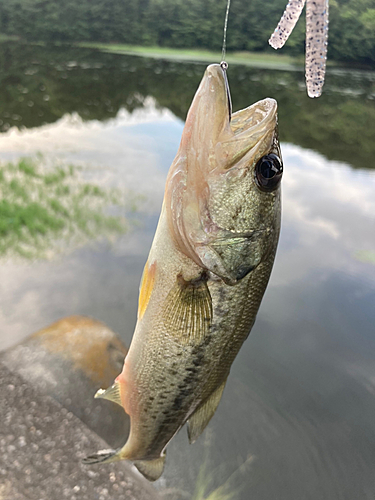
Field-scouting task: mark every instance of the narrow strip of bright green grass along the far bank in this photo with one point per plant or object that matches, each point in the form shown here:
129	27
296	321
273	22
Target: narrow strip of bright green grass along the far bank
266	60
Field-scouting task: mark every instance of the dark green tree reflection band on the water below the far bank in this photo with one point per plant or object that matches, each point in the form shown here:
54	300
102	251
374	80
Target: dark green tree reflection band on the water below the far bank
39	85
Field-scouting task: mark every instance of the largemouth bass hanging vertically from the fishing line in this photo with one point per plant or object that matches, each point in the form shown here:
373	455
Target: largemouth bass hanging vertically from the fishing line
206	273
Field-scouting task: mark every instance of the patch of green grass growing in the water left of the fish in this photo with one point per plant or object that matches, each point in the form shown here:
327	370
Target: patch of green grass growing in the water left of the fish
46	210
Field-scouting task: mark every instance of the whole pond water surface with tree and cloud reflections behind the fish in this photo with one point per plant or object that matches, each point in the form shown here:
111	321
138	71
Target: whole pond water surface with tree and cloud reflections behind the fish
297	419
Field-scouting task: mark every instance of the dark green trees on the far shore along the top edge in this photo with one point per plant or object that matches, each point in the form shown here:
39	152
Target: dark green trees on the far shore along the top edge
187	24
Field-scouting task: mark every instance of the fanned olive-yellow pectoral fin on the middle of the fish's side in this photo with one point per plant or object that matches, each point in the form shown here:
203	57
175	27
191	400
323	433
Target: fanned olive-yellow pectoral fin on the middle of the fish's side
188	310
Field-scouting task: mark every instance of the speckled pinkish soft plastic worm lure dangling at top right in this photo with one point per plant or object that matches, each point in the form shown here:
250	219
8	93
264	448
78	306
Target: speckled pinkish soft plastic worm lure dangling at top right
316	39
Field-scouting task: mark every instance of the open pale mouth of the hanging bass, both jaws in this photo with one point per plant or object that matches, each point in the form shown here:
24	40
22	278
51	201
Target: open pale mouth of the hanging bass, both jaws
210	123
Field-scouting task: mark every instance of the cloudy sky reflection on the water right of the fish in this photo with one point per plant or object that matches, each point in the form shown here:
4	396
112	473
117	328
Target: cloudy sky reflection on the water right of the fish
300	395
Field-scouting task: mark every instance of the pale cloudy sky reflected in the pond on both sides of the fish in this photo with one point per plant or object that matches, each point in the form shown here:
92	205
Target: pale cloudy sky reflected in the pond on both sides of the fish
303	383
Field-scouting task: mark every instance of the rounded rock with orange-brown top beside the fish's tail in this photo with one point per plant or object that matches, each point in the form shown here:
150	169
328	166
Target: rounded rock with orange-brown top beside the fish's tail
69	361
